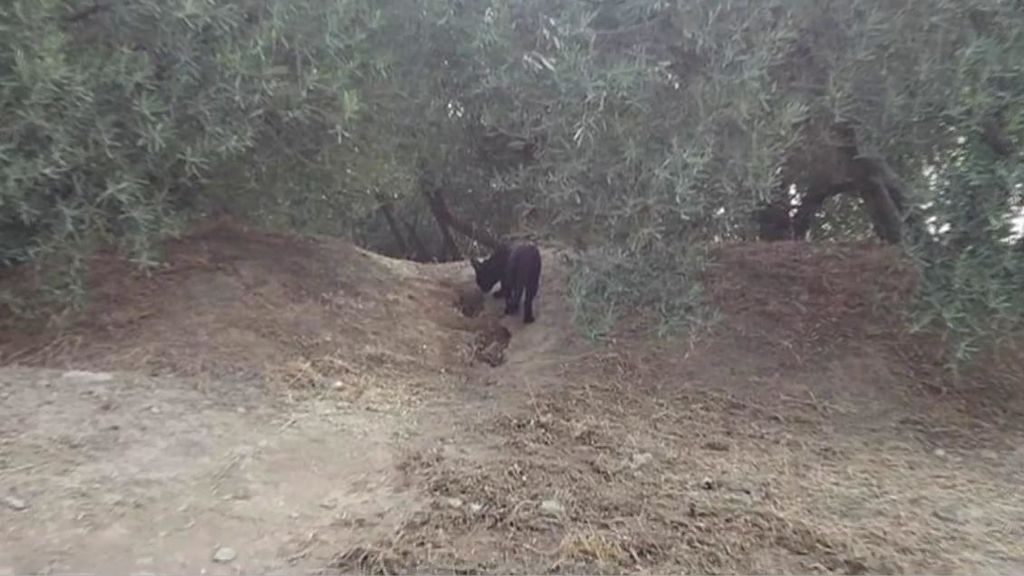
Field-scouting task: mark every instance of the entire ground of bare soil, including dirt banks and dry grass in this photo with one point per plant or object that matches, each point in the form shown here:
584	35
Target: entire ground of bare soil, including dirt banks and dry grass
315	407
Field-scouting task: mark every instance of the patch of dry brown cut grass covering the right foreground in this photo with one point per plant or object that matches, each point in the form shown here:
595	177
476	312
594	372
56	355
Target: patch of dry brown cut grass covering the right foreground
649	485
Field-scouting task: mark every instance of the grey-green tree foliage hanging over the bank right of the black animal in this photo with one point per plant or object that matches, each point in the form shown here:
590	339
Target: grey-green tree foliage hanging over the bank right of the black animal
665	125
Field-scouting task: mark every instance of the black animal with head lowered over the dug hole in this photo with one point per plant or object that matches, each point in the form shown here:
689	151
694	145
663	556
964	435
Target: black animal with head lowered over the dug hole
519	269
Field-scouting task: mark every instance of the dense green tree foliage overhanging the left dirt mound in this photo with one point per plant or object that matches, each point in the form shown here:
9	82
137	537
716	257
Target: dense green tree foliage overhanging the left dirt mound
116	122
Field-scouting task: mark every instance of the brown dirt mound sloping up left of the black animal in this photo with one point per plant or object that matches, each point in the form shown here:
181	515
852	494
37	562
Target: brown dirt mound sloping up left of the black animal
232	303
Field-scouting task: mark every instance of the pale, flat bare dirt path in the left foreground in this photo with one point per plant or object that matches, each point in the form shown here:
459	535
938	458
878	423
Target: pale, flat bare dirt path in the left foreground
121	474
